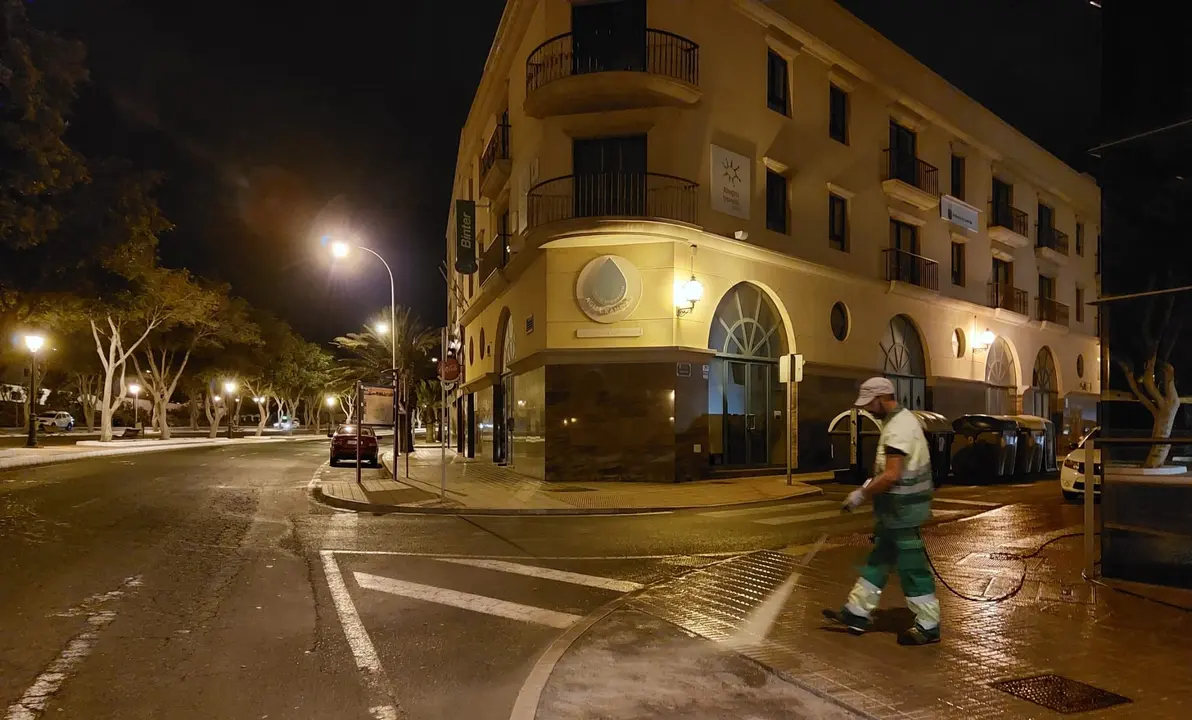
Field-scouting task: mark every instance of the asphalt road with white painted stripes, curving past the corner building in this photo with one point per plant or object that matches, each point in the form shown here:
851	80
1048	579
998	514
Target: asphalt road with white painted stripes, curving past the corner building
207	585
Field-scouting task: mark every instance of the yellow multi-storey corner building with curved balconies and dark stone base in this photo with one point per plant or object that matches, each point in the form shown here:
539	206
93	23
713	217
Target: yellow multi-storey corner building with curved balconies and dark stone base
665	198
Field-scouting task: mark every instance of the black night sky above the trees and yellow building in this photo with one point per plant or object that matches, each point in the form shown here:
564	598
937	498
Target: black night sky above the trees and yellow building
277	127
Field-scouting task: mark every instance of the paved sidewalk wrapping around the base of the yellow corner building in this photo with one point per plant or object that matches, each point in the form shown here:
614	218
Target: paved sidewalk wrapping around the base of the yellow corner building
480	488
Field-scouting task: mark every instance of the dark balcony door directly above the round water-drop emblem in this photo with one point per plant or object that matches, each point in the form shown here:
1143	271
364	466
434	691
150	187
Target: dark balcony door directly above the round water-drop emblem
610	176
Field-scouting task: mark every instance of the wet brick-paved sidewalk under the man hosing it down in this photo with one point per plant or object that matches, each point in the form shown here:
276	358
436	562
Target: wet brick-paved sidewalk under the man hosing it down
1056	624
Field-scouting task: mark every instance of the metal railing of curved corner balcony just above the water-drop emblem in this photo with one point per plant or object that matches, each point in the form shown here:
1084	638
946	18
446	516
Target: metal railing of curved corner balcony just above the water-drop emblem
613	195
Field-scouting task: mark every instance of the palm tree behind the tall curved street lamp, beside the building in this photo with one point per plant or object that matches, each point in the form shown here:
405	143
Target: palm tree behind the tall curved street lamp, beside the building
371	353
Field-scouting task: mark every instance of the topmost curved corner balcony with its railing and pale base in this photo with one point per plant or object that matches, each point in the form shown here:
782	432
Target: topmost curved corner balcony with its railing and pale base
659	70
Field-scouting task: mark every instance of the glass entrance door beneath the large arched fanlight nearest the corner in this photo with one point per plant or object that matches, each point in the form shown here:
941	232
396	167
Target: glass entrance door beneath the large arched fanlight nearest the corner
748	414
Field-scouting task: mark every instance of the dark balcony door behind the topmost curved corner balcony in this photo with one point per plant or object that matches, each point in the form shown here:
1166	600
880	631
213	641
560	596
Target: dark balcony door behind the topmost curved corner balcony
609	36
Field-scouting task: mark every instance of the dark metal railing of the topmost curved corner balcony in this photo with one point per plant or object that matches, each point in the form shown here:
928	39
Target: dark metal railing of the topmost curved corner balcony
657	52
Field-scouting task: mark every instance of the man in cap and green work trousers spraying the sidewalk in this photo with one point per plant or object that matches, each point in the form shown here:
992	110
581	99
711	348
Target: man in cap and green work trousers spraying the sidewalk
902	495
